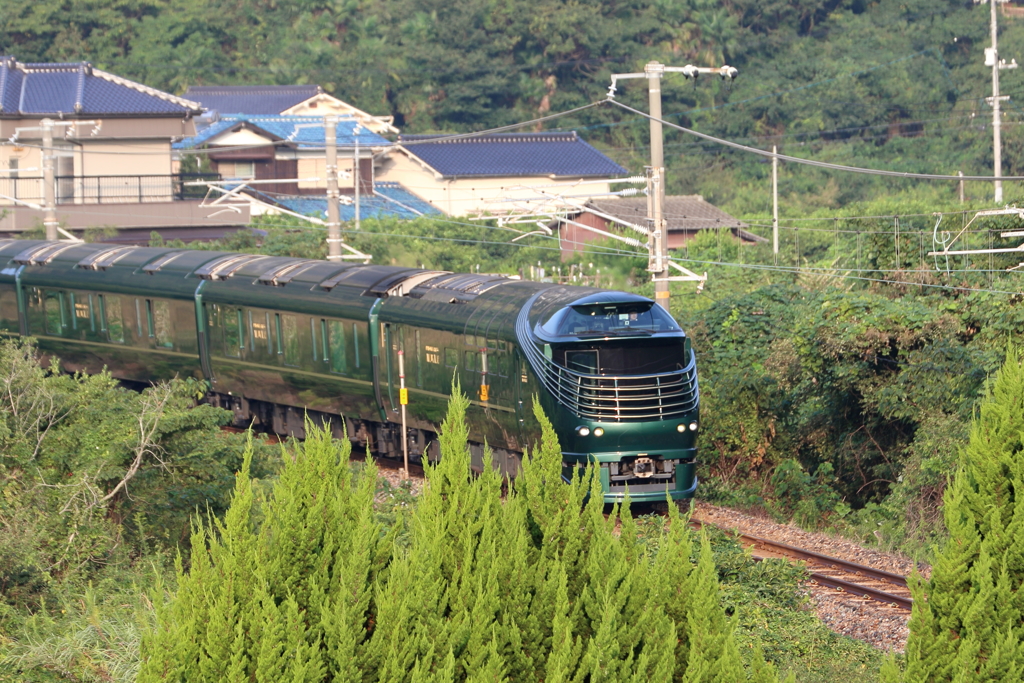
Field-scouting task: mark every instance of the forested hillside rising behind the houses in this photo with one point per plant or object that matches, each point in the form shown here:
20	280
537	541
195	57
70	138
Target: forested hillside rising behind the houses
897	84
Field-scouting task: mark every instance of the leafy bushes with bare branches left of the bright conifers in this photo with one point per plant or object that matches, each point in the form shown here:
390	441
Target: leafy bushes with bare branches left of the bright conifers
98	487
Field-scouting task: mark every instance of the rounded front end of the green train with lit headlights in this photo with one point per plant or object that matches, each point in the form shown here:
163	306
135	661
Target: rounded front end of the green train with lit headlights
621	389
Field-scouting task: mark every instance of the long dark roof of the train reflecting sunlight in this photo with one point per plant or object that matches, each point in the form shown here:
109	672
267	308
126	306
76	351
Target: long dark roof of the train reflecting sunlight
290	283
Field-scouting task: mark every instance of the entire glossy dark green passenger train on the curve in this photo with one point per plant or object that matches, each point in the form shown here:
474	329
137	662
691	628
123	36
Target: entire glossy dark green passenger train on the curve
279	338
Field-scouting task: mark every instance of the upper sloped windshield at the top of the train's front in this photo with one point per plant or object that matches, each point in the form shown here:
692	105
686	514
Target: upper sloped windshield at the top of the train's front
606	320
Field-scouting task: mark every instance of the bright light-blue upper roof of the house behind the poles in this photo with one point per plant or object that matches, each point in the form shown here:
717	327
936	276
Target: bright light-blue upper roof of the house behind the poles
307	132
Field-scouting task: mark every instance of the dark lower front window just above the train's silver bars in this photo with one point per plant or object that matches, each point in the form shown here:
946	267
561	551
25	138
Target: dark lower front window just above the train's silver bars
623	358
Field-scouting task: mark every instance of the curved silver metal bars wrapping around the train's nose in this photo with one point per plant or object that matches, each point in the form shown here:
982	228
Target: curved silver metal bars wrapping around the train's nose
613	398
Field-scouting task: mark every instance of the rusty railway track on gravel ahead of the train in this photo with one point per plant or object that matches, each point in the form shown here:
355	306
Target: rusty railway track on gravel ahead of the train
850	578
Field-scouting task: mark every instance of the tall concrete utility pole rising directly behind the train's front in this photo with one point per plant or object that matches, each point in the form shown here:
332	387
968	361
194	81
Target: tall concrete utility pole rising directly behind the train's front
659	245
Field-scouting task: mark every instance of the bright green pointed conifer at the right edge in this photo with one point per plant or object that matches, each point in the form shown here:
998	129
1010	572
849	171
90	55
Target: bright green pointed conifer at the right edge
967	617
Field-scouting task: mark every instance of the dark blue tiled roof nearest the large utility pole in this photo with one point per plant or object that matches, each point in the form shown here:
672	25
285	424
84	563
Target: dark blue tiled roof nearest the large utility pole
517	154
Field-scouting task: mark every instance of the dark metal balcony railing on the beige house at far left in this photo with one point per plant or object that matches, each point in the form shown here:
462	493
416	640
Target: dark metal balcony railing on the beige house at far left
107	189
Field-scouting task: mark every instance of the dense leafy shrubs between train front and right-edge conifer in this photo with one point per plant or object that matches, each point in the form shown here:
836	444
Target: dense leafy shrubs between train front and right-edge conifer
824	394
